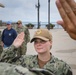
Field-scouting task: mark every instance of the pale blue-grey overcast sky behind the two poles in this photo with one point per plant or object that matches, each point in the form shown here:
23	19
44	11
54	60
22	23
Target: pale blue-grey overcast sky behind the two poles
26	11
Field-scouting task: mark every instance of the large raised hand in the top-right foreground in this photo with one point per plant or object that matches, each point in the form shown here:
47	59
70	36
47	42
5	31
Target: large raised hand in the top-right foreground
67	10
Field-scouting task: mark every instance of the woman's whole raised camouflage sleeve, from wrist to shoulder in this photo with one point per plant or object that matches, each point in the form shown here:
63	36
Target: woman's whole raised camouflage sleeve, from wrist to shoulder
9	55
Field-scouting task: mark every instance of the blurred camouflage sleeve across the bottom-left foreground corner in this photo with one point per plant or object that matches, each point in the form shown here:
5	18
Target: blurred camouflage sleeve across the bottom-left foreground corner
8	69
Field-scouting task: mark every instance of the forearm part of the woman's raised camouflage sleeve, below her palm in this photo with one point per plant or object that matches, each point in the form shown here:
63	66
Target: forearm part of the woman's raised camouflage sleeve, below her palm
8	54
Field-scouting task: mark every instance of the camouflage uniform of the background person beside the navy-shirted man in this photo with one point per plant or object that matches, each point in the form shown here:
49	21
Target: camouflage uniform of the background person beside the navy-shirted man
23	48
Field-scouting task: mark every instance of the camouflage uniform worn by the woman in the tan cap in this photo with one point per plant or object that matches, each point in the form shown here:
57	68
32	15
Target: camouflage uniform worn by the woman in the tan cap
56	66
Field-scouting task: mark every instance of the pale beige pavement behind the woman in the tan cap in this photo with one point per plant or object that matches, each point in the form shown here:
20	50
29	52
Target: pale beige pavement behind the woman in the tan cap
63	47
